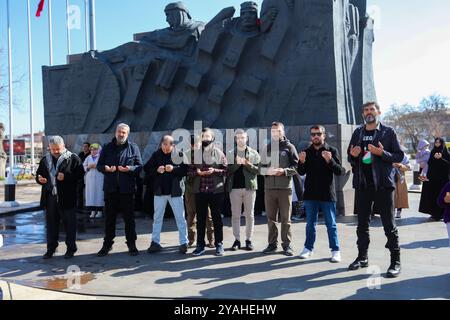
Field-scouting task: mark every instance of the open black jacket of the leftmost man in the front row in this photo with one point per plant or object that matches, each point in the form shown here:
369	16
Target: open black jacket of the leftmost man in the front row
73	171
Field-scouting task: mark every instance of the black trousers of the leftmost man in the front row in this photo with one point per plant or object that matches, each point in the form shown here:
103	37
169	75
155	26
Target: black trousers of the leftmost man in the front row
53	216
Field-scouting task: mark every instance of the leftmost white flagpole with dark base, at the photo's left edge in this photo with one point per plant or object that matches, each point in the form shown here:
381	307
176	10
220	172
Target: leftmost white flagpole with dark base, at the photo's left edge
10	185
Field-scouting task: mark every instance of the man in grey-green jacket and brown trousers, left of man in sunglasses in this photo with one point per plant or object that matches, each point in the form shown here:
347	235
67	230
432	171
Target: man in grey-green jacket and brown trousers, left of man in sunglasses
278	186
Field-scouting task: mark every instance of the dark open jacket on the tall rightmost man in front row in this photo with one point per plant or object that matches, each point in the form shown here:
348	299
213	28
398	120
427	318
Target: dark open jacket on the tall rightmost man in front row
383	172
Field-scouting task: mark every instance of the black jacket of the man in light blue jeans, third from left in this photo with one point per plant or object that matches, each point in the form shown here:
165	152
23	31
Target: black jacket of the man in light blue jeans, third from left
176	176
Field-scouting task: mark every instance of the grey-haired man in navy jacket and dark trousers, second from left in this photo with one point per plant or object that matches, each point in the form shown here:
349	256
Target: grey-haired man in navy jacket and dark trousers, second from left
120	162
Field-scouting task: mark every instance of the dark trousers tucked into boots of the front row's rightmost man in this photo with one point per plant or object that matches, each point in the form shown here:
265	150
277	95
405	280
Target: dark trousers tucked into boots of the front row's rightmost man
383	200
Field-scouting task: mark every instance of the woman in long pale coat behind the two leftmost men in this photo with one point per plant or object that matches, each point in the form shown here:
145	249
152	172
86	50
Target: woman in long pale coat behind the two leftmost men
94	183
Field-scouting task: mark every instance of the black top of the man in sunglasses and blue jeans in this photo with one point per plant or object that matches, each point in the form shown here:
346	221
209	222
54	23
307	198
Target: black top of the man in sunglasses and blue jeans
319	182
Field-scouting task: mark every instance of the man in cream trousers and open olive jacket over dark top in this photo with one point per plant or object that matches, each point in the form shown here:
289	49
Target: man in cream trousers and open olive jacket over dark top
242	185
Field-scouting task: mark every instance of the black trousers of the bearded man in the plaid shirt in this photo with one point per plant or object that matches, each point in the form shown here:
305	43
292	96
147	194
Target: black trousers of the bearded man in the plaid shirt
215	203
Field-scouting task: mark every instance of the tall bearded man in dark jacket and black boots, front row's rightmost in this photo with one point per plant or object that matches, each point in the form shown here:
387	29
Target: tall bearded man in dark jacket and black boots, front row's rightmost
373	149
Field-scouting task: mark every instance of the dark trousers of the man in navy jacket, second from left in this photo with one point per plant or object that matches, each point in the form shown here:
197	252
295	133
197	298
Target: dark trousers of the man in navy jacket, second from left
115	203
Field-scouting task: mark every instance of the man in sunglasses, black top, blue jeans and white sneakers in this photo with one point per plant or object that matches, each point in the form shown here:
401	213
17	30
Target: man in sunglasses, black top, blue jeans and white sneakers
320	162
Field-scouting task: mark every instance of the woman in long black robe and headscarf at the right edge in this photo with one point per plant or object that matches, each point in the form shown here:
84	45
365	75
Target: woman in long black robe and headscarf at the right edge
435	180
